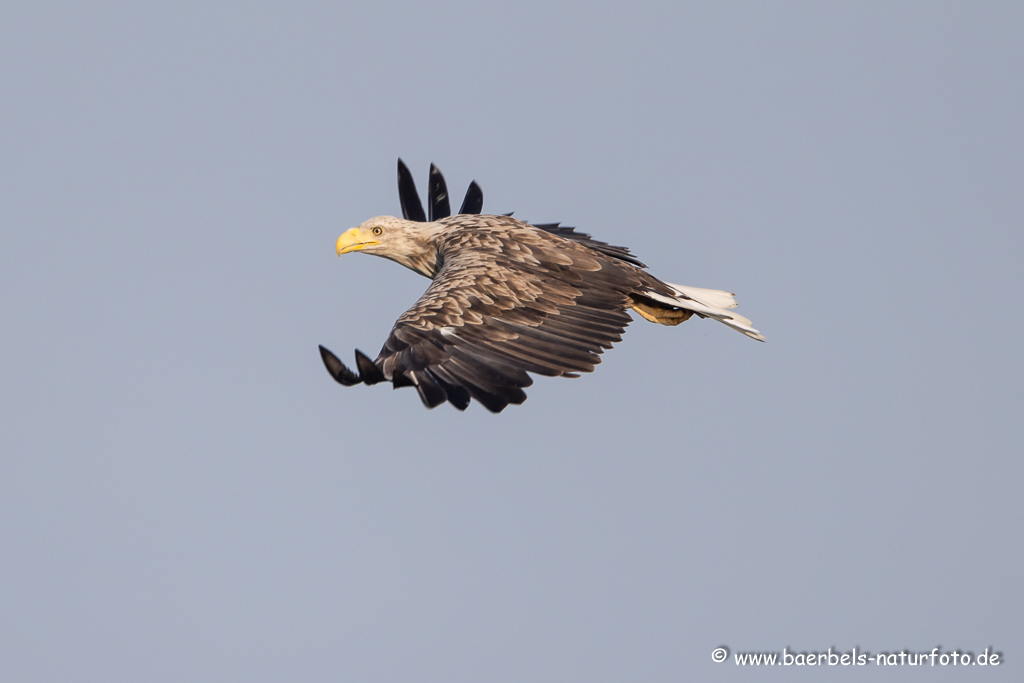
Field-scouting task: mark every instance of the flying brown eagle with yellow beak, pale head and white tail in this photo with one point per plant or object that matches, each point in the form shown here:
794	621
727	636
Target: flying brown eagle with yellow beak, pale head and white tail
507	298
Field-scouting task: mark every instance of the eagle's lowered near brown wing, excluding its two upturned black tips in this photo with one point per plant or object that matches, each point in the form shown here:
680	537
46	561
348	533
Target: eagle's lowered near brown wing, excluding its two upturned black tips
485	323
